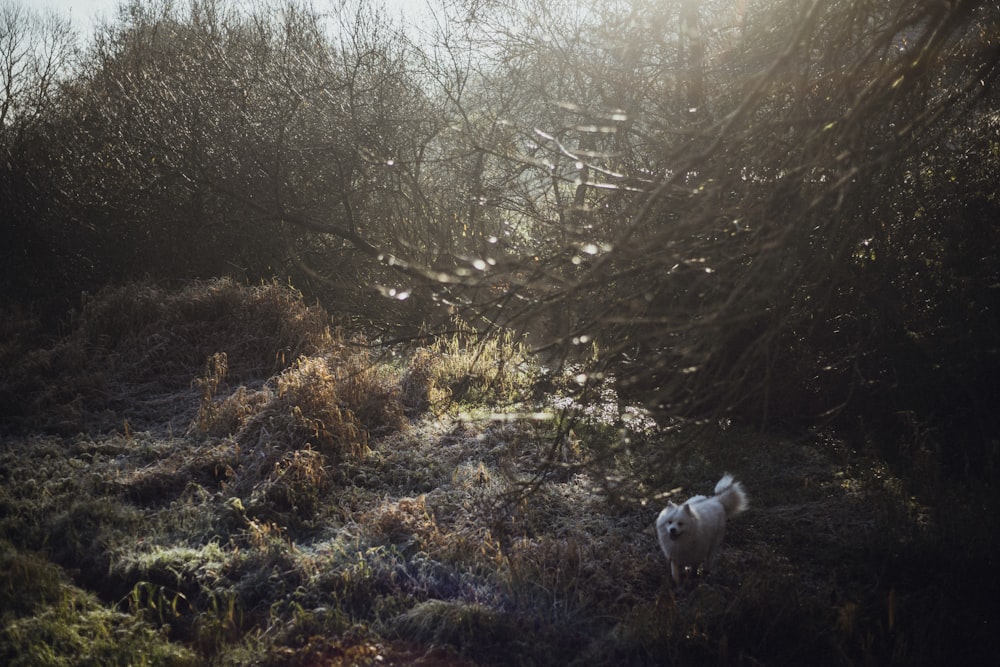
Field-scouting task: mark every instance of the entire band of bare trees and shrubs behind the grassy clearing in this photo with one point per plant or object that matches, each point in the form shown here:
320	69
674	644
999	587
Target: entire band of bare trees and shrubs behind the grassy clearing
776	210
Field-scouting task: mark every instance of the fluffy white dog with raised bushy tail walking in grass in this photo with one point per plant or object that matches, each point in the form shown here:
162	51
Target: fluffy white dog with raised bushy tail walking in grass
691	534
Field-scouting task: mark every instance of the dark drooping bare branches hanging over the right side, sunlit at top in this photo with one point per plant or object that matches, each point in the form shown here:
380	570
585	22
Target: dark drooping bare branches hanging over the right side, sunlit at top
800	252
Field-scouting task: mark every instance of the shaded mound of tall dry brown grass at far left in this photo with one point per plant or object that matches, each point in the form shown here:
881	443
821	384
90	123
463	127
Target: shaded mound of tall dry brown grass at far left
132	350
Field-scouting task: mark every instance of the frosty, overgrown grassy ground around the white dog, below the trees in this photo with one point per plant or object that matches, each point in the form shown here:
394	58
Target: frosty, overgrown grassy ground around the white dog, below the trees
216	476
